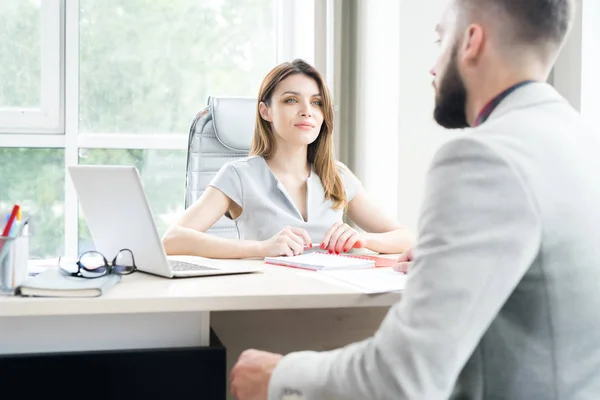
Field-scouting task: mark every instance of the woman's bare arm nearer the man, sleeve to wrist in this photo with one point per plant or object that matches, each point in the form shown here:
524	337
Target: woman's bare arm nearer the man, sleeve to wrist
383	234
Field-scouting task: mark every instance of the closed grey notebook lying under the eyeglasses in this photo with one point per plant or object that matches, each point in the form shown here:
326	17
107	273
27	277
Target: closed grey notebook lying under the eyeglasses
54	282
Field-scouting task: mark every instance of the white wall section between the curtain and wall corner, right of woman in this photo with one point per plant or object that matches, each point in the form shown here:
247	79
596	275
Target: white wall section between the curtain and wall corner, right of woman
377	100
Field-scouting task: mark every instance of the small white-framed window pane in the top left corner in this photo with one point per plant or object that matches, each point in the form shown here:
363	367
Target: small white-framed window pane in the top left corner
29	39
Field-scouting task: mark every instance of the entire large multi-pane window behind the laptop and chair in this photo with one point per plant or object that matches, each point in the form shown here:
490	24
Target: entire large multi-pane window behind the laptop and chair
114	82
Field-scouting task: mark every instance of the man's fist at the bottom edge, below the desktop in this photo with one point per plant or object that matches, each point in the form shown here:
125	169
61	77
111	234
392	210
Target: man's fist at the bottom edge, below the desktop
251	374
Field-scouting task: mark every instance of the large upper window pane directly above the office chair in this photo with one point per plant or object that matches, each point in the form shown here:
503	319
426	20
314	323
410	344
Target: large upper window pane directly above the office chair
148	66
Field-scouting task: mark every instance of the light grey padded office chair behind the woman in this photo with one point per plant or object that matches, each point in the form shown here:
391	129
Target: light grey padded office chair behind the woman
221	132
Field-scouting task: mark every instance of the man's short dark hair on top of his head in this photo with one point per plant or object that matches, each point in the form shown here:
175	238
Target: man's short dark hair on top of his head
533	21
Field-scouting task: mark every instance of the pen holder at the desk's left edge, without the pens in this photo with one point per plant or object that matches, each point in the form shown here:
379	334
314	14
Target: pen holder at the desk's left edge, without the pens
14	255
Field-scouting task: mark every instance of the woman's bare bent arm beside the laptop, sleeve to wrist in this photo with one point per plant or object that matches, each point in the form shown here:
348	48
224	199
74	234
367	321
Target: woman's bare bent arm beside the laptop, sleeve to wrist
187	235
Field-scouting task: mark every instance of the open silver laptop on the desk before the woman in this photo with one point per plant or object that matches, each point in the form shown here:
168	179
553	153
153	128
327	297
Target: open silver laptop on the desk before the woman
115	207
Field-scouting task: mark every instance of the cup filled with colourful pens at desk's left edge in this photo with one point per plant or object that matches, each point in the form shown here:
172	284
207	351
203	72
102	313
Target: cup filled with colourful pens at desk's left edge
14	252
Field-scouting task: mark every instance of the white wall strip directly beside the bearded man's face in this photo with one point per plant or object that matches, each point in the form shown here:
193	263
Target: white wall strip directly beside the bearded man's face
419	136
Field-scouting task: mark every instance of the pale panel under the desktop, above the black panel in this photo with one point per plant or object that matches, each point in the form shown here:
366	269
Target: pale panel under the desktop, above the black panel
41	334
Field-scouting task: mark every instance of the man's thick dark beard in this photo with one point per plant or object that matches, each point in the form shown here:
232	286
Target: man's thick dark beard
451	99
